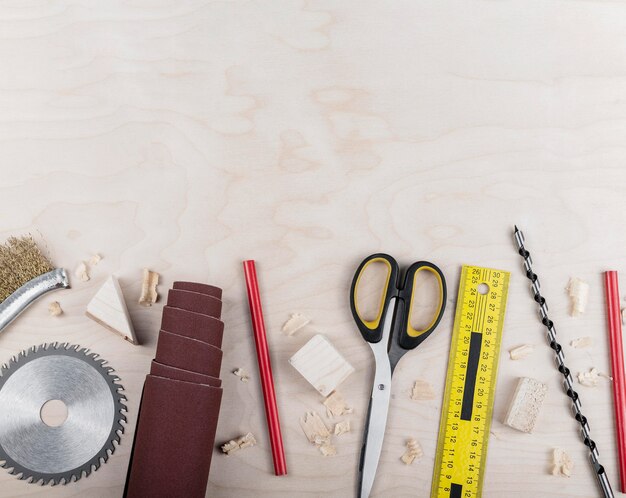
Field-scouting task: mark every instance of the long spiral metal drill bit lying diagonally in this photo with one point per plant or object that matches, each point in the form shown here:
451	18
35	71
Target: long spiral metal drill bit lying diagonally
568	383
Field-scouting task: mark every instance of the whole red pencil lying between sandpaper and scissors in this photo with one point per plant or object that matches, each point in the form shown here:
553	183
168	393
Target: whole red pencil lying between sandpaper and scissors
265	369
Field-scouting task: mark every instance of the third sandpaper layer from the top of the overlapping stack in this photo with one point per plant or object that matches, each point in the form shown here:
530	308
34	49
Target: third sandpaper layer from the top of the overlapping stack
193	325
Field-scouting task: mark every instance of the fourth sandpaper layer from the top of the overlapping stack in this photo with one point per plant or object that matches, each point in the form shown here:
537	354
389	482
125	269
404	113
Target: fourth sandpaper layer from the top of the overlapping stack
188	354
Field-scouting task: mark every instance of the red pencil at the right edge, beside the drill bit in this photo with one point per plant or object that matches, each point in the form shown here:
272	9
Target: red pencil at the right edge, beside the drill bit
617	368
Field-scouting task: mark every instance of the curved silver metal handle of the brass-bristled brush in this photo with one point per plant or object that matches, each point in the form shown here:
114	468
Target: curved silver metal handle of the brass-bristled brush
17	302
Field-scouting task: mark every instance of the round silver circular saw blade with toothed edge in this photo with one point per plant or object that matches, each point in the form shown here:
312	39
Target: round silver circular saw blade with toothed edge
38	452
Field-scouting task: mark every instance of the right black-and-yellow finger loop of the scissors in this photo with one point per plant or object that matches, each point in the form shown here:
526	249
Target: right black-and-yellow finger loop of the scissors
410	337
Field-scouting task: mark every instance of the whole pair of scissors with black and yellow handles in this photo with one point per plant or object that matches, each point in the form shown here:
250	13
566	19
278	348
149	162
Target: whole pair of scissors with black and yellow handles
390	335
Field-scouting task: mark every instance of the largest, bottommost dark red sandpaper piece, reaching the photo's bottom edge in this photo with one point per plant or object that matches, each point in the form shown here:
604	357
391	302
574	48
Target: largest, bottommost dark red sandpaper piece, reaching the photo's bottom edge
174	440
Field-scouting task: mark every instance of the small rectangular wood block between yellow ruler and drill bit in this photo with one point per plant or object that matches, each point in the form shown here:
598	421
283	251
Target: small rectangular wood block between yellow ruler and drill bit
526	403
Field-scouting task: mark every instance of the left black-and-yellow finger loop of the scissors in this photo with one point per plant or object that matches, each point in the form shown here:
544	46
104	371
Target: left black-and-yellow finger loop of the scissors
372	330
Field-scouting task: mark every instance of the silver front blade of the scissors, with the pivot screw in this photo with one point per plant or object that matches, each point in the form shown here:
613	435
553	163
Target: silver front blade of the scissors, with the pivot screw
376	421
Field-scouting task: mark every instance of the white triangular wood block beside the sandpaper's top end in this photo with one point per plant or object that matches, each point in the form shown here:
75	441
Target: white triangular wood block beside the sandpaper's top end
108	308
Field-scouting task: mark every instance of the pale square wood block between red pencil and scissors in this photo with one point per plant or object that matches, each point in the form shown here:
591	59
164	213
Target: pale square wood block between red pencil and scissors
321	364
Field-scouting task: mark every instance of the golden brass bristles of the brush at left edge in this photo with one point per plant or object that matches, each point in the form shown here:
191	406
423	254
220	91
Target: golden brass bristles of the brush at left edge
20	261
